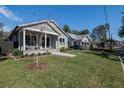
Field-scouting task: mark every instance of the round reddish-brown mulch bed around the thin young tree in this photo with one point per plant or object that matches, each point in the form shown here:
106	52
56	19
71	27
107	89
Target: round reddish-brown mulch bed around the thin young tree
35	66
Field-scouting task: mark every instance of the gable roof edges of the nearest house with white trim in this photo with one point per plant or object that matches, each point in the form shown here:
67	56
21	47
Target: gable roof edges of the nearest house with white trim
17	28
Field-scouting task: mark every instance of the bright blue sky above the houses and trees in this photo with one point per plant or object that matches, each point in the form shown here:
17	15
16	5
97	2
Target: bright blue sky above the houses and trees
77	17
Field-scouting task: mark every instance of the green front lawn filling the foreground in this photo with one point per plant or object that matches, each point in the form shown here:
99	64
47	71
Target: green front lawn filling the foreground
84	70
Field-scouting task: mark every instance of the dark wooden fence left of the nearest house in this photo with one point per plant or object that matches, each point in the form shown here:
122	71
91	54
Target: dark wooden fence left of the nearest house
6	47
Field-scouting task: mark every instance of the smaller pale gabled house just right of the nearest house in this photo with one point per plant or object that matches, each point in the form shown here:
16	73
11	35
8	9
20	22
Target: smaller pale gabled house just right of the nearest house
80	40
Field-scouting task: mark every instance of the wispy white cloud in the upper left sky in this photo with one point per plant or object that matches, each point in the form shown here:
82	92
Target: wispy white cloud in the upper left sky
9	14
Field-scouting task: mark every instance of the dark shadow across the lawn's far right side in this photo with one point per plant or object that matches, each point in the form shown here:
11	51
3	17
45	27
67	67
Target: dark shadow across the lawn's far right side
104	54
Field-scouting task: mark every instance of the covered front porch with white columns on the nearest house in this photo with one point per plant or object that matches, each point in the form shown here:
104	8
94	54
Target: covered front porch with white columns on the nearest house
35	41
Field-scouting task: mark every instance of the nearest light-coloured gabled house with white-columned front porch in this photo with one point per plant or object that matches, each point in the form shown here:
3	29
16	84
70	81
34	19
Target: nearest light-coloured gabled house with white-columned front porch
37	37
